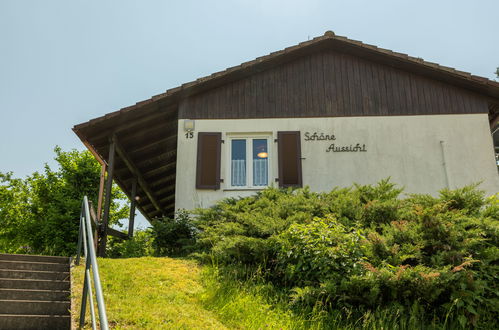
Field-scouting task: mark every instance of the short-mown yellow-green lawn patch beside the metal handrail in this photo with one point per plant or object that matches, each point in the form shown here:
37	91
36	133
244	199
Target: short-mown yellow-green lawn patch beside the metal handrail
149	293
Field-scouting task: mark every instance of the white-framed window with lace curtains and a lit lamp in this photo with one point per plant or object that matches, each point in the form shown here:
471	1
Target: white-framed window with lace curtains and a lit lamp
249	162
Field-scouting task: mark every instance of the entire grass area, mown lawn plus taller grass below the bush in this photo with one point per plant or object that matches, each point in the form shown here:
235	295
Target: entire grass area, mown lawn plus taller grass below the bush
166	293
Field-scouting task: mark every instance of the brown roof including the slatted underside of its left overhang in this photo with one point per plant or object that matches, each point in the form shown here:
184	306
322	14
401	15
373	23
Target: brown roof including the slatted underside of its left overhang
146	133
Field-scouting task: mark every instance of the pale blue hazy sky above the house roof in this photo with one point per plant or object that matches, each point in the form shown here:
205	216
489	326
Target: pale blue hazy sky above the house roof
65	62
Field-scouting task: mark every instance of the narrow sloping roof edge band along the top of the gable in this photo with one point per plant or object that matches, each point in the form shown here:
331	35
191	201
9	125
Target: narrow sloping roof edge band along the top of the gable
331	41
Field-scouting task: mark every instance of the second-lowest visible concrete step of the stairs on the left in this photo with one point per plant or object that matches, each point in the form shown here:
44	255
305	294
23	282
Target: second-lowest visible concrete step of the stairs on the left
34	307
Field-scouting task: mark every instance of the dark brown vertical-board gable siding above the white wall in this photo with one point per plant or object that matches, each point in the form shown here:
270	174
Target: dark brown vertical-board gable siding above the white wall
331	84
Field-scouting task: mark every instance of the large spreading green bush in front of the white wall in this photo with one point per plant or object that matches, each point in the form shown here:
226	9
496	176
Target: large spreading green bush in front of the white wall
365	247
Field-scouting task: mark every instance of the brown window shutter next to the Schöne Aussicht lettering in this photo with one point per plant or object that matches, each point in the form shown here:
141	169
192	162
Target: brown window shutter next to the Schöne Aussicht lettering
289	145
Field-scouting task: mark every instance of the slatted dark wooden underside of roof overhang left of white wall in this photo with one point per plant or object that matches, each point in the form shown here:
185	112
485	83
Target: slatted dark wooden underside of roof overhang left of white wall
146	145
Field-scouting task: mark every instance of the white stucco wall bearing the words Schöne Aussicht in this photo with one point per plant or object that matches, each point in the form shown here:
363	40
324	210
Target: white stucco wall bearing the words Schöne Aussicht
406	148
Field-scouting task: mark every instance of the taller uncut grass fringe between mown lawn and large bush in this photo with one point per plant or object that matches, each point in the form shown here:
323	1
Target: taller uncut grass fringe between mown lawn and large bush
250	302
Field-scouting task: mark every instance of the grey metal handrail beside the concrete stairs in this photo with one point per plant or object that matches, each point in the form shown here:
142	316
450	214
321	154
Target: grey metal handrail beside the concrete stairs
85	236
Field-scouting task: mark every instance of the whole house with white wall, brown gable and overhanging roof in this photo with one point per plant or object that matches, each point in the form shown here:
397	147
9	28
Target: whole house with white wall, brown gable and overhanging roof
327	112
